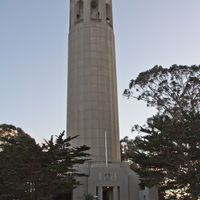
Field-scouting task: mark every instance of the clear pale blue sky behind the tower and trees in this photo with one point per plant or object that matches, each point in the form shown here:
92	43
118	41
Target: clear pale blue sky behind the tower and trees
33	56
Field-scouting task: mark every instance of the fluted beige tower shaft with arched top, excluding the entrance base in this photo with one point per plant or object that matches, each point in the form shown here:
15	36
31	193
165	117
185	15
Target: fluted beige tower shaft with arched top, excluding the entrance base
92	108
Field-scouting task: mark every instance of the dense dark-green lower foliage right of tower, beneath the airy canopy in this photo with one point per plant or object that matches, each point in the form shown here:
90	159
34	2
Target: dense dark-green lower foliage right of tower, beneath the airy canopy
167	154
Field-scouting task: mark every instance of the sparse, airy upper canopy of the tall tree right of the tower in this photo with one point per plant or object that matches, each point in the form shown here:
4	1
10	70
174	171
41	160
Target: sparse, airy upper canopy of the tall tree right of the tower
169	90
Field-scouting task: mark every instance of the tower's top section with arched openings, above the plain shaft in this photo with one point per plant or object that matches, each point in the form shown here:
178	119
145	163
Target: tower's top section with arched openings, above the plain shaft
86	11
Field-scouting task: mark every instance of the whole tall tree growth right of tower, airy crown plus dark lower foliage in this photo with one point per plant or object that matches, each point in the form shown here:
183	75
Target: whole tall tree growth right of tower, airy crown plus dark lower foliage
167	153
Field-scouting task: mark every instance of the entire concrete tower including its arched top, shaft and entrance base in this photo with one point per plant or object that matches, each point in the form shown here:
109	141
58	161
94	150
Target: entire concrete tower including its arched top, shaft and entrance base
92	108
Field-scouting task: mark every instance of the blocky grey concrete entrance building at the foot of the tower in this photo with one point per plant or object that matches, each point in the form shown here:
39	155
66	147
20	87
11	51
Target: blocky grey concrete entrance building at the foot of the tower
114	182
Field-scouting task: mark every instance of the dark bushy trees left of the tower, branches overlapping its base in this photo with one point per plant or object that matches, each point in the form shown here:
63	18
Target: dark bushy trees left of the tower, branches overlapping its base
32	171
